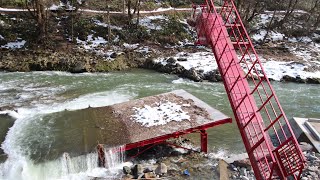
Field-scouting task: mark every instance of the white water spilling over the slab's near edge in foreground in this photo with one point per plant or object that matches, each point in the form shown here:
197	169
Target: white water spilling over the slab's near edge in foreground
66	167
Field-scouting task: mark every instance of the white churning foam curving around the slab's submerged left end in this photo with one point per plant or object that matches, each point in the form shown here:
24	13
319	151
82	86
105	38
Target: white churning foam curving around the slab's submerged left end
19	166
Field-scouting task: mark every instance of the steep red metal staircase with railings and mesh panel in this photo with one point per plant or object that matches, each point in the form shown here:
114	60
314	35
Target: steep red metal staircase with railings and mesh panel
268	138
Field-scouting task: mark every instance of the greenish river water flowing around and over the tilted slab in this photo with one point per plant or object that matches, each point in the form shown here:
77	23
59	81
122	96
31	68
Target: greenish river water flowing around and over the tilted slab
41	139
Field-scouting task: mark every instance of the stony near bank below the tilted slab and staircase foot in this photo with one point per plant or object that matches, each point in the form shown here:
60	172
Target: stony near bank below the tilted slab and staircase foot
193	165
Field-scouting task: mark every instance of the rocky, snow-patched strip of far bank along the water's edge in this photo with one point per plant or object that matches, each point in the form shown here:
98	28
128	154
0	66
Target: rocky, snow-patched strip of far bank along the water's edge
187	62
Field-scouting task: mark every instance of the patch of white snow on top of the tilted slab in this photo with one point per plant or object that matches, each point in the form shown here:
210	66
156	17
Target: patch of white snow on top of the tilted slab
160	114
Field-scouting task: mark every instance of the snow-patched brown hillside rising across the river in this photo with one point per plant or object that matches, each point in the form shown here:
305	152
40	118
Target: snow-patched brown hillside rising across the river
88	40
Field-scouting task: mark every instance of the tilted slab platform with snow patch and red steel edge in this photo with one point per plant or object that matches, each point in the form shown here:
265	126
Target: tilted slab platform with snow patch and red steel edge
170	115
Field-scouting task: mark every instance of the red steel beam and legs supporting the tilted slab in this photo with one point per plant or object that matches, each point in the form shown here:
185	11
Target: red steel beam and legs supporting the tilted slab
161	139
